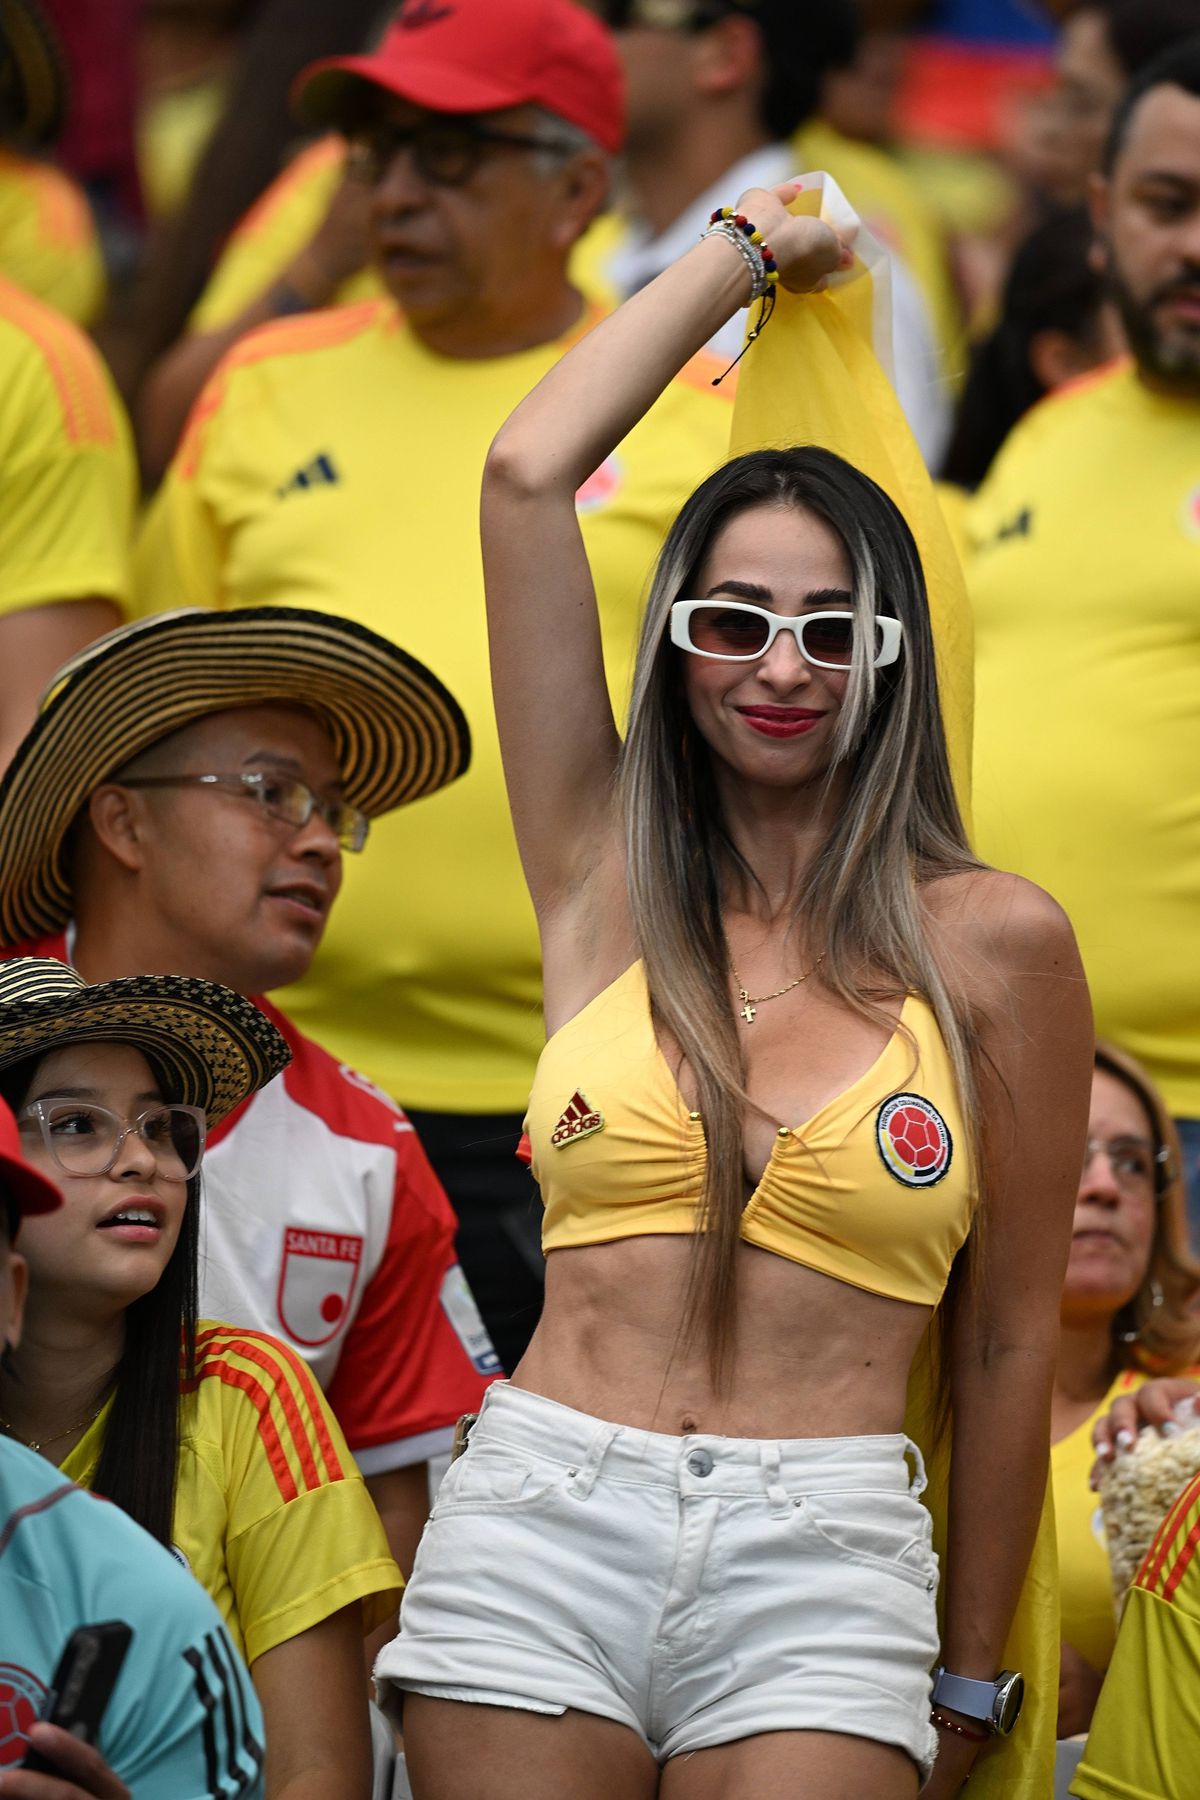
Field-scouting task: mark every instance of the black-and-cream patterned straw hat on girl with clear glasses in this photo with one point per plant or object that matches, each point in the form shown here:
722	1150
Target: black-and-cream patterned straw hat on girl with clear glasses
210	1047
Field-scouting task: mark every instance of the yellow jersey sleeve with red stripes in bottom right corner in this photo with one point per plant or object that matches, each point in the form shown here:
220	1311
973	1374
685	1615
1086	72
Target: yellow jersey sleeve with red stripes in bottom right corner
1145	1740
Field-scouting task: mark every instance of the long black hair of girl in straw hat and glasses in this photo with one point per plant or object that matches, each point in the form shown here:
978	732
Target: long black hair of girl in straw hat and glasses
141	1444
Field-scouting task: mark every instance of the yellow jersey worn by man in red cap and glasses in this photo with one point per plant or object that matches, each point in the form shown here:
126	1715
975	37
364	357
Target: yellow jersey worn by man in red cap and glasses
334	462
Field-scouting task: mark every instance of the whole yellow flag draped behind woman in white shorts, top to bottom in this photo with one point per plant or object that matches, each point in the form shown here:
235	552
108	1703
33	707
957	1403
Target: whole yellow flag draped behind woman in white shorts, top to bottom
814	377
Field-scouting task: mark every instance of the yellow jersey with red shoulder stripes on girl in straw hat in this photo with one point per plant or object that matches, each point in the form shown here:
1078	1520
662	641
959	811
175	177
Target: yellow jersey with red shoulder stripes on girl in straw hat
271	1513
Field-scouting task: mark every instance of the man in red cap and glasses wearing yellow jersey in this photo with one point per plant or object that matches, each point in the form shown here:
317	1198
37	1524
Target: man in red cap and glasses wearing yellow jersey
336	462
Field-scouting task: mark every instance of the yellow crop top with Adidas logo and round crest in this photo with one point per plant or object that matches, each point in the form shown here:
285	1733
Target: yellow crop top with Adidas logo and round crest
875	1191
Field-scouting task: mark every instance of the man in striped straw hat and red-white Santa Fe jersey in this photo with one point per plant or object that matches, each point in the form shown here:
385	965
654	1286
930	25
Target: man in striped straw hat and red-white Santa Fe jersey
181	807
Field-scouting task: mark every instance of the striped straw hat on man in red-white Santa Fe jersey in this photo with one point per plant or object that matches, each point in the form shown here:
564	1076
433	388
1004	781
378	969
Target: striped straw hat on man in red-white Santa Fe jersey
399	735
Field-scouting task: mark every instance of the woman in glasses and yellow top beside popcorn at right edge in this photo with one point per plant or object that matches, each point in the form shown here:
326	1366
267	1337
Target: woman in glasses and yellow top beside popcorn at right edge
1127	1315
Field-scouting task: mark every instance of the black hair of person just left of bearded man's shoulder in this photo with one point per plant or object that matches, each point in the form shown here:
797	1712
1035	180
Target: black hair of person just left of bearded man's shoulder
1052	287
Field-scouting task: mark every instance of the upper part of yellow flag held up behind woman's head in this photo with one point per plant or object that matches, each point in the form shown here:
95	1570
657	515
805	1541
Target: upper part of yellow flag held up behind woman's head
818	377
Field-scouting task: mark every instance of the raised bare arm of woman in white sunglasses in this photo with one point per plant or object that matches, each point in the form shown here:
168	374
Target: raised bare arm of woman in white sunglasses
557	726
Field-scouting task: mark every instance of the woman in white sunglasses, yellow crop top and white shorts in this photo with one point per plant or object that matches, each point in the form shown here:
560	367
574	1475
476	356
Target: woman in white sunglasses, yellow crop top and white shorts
685	1552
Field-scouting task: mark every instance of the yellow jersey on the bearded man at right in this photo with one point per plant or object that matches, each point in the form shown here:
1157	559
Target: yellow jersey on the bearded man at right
1084	568
